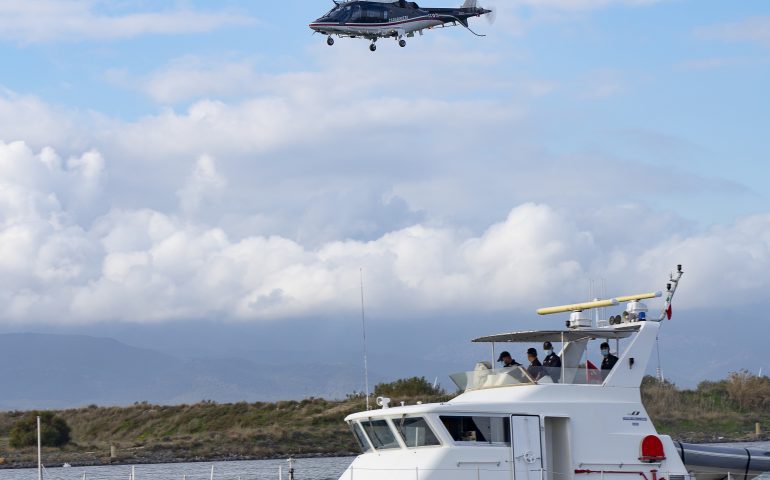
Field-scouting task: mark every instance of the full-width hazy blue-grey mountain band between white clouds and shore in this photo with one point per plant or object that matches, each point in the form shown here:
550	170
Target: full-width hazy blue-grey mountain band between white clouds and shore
229	362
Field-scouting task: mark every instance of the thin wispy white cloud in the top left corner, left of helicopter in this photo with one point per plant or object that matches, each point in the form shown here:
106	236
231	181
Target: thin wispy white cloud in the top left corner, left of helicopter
35	21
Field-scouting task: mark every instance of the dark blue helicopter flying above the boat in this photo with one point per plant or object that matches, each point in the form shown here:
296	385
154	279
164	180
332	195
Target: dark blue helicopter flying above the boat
397	19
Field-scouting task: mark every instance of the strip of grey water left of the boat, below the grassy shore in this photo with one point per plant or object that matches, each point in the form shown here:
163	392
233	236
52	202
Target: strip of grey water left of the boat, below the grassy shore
305	469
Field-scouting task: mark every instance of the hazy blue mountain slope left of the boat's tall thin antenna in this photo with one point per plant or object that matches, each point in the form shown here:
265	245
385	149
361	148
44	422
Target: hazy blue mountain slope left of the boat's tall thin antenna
60	371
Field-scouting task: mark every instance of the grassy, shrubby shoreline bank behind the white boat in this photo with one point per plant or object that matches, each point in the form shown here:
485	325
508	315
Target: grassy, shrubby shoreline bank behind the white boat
716	411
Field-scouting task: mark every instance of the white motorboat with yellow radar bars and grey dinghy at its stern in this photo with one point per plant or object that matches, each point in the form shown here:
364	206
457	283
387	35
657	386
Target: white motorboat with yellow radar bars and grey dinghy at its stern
571	423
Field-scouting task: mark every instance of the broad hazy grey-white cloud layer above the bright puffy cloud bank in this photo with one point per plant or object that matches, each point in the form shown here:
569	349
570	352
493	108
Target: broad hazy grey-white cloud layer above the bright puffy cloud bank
317	156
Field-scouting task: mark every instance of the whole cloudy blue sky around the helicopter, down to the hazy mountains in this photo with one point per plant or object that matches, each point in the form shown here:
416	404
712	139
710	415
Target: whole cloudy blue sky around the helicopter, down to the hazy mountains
218	160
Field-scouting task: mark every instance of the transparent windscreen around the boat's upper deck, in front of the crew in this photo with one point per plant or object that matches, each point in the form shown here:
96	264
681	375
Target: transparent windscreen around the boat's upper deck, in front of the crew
483	378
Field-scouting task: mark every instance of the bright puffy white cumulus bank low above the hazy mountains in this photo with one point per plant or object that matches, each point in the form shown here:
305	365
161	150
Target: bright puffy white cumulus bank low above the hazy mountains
142	265
